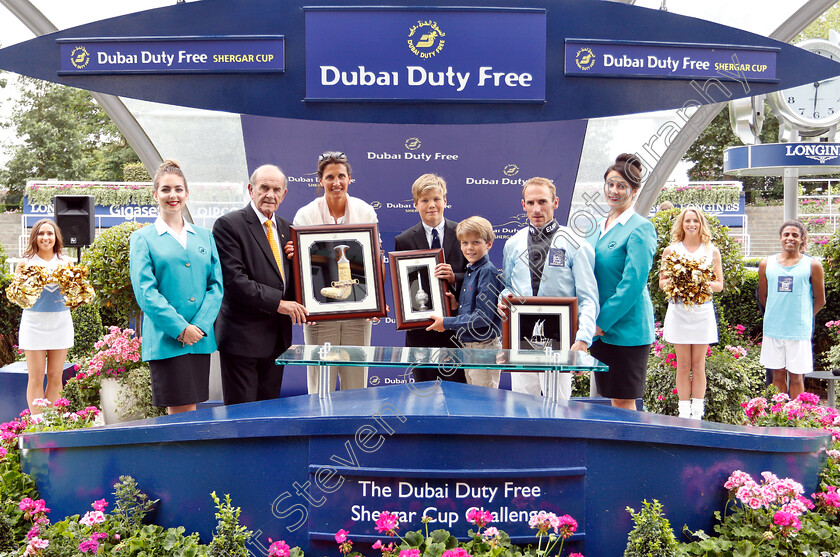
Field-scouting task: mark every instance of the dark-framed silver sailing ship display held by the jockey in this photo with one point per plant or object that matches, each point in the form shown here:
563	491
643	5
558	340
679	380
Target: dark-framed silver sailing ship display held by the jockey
534	323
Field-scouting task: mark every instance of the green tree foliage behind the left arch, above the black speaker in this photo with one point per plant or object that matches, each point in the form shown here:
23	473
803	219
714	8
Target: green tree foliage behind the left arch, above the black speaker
64	135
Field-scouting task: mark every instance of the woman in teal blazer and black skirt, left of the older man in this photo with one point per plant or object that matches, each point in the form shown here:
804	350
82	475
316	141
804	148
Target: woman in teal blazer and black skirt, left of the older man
177	280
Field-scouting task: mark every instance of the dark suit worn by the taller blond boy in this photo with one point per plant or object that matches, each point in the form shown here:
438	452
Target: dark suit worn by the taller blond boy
415	238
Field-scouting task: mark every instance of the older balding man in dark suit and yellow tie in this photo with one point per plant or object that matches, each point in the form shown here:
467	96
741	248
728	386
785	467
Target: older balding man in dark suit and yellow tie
255	323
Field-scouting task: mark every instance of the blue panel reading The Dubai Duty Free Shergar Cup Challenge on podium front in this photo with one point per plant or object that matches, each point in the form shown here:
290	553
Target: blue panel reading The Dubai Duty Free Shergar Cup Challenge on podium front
446	499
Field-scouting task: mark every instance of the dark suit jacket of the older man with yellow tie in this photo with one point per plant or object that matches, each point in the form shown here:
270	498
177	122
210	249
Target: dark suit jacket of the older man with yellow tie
248	323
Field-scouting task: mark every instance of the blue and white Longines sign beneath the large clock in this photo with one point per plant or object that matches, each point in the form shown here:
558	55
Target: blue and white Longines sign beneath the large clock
770	159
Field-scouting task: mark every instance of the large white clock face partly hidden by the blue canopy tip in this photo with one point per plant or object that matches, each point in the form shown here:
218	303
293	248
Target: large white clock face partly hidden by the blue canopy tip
813	105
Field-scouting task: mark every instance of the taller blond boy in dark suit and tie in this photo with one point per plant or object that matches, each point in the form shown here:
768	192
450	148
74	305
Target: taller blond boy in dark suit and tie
432	232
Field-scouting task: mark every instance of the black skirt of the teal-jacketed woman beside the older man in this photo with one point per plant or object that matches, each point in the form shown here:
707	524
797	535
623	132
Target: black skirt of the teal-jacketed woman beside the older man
180	380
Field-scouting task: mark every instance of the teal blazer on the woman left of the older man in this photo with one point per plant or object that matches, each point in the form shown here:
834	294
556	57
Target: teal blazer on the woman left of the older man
175	287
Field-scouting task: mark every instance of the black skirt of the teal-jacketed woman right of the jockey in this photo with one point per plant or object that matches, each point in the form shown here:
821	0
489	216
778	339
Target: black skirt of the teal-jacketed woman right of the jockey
628	368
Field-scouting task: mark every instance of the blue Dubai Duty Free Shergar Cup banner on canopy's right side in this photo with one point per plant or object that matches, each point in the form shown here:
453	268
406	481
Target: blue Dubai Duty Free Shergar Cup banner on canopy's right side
585	57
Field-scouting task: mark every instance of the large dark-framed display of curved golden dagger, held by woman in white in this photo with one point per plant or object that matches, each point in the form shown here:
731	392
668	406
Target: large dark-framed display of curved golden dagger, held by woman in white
339	271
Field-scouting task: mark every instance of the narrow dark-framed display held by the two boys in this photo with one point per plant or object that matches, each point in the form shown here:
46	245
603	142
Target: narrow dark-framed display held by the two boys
417	293
